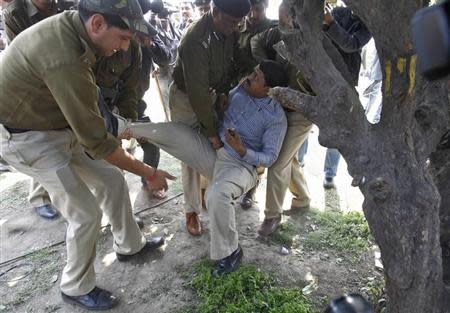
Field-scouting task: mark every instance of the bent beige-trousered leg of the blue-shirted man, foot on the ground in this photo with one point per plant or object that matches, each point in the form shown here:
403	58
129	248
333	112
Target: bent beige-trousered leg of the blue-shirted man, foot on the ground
231	179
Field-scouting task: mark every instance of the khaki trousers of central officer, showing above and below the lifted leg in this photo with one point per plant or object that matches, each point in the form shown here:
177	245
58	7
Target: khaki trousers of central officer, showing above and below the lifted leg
181	111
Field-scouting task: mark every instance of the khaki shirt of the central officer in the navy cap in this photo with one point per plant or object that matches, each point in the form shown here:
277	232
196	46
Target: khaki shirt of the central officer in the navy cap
204	61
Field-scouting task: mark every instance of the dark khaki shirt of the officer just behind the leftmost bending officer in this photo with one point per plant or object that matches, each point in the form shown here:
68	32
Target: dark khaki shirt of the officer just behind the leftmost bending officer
118	77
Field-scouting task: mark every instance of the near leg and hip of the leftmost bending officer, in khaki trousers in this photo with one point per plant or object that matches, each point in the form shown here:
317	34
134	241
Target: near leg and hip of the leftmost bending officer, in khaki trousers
47	156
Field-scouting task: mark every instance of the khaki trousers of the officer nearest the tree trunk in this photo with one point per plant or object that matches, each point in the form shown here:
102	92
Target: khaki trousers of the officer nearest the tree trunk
286	171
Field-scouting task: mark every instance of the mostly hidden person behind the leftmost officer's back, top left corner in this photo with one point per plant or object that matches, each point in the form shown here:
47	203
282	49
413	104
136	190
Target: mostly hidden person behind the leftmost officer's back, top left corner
18	16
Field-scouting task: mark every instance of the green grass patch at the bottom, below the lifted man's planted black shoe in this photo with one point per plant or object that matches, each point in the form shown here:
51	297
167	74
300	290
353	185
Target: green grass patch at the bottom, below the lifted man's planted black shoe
244	291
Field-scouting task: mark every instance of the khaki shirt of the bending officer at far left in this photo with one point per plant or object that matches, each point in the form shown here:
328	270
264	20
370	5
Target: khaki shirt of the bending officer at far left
47	83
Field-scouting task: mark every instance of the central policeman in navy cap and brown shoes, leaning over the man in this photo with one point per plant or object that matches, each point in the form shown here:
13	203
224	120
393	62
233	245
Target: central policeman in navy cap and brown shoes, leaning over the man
201	72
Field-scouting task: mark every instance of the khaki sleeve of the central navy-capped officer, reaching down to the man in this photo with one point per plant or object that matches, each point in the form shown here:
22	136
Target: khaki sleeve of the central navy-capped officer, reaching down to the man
195	61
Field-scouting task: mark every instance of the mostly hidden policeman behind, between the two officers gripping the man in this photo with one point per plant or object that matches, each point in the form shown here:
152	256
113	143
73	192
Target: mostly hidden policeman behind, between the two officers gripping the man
255	22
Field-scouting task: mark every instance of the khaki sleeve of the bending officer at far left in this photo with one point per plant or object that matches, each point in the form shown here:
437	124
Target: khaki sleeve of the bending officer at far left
73	87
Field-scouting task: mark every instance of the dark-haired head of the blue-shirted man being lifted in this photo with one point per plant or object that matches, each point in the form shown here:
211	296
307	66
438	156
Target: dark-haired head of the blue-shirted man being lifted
266	75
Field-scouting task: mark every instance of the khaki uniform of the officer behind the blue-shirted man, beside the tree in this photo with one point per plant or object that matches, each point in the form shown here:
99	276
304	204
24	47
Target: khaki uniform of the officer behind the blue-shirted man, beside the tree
286	171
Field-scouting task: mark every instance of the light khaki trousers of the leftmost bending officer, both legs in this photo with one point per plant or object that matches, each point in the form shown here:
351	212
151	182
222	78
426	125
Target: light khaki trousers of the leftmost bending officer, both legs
80	188
